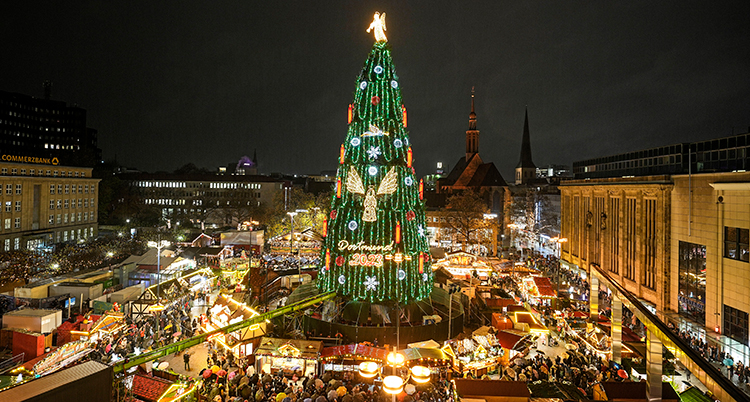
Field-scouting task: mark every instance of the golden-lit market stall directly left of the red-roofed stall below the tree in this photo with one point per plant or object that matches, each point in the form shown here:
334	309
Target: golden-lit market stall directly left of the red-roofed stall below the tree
289	356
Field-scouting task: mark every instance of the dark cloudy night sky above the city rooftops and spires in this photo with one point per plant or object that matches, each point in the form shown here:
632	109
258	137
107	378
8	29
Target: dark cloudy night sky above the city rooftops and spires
167	83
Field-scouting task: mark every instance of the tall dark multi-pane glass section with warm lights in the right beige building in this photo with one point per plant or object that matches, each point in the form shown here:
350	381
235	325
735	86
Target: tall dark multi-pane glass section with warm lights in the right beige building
692	296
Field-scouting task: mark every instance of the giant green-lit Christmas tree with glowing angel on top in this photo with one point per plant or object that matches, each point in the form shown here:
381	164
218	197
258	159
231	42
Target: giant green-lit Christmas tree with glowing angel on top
375	246
